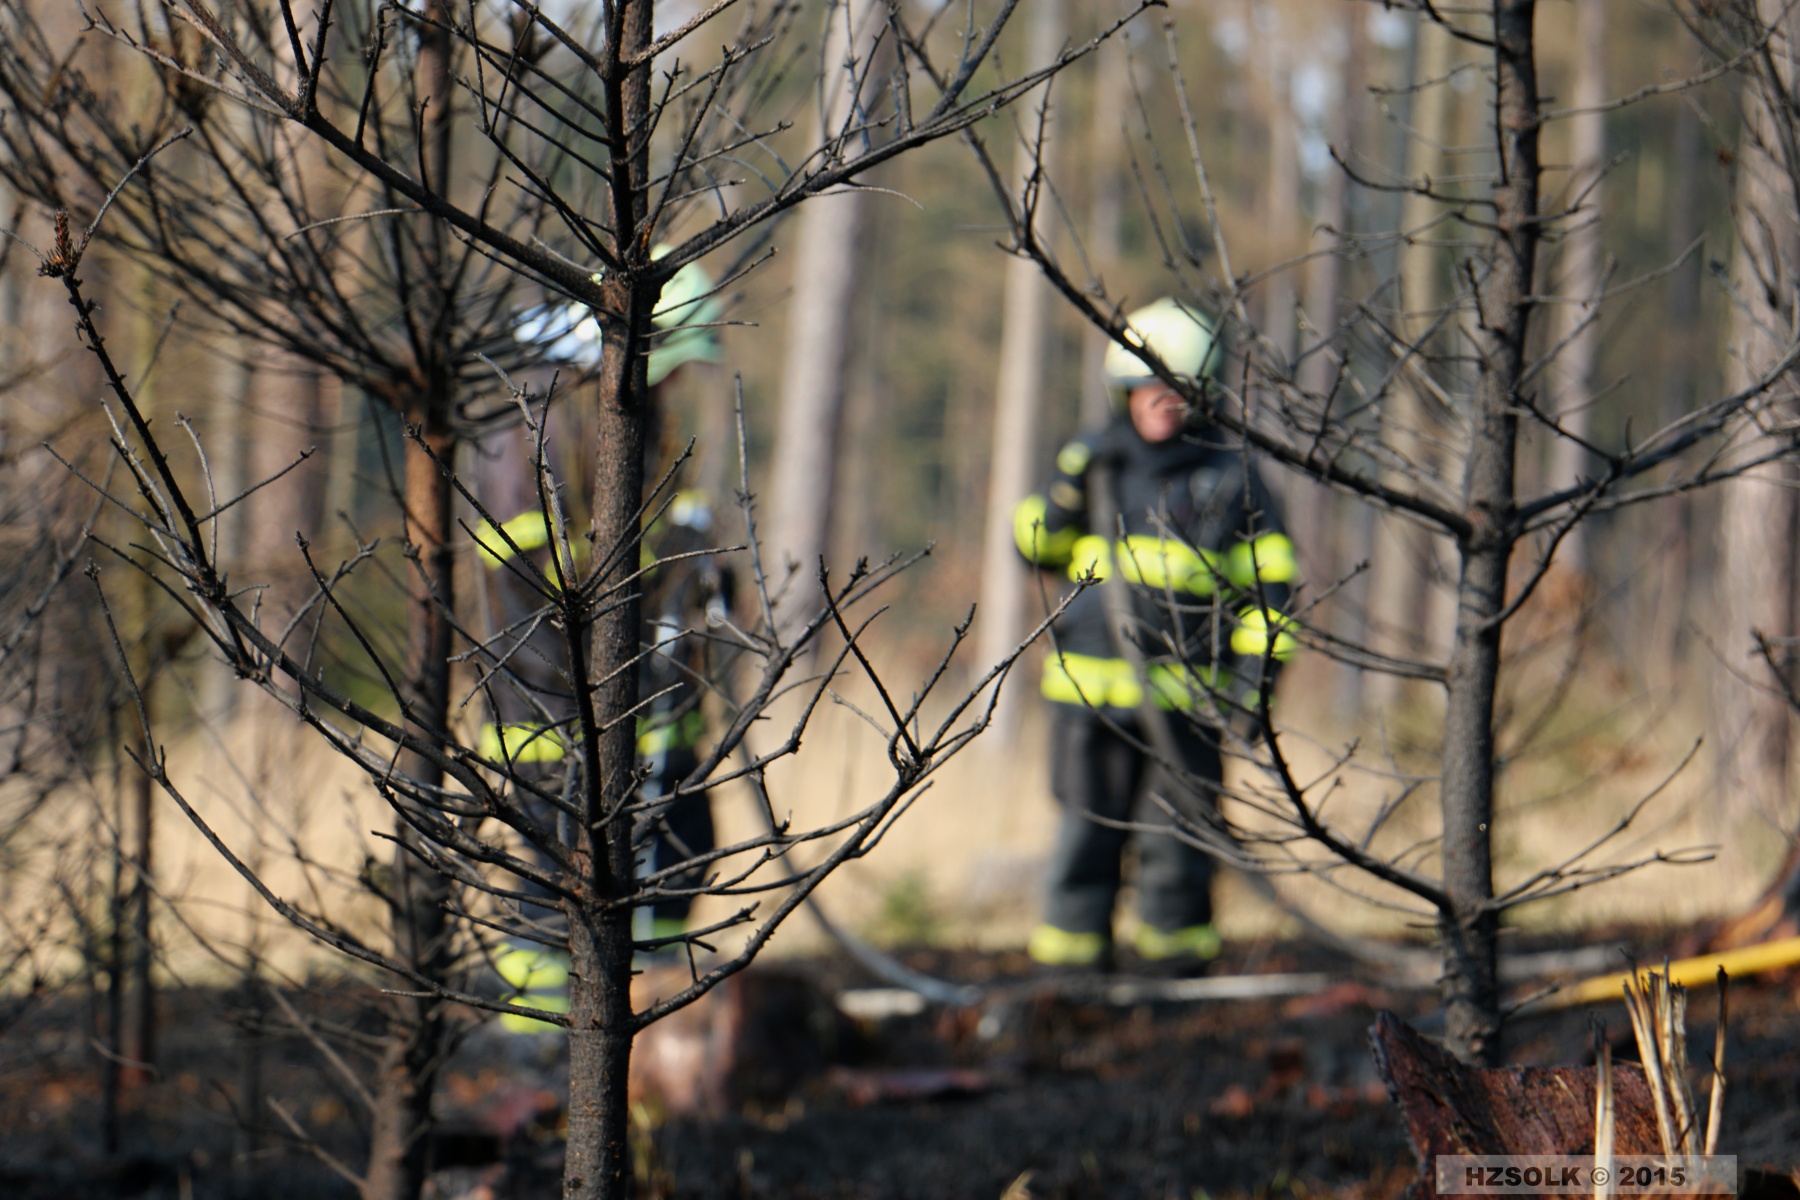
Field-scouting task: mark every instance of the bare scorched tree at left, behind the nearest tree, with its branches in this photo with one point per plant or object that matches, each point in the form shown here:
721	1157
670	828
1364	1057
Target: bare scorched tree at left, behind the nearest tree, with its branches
305	267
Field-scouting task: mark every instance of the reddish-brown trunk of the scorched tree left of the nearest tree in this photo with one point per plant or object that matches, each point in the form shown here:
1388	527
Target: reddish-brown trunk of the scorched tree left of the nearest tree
400	1142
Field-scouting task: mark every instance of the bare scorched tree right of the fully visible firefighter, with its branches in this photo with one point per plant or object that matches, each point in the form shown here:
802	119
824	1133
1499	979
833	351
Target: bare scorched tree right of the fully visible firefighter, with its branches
1356	425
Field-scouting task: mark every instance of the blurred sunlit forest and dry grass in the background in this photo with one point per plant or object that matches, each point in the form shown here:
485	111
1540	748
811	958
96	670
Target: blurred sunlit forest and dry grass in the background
1639	649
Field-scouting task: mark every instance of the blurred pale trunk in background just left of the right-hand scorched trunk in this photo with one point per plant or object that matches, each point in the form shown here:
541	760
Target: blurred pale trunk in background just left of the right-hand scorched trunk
1403	553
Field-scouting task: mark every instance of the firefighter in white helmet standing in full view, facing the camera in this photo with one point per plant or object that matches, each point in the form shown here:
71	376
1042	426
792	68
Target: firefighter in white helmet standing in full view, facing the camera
1198	589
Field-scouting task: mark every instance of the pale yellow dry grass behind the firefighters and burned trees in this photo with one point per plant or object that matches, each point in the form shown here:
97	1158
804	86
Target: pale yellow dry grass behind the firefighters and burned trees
967	861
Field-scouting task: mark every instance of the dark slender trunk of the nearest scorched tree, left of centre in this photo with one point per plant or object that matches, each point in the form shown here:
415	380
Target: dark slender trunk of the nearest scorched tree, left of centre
600	929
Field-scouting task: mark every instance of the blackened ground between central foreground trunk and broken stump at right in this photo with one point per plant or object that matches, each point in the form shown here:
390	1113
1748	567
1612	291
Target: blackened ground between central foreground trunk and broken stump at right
1090	1100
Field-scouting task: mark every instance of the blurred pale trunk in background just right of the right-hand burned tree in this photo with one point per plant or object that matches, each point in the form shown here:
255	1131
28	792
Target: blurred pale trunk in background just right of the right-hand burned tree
1581	276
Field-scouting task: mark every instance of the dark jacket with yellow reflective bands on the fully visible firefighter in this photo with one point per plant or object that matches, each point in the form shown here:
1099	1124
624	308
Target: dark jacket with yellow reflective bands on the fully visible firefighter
1203	550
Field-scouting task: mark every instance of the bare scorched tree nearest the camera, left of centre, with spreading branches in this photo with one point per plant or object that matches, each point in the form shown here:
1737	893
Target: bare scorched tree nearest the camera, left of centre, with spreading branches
611	166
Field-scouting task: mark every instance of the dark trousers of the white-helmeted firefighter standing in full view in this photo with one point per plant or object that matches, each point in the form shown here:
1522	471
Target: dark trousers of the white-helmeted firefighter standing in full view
1095	773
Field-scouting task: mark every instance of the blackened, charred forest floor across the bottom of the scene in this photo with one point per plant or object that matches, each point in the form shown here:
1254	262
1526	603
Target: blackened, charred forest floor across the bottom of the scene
1034	1095
